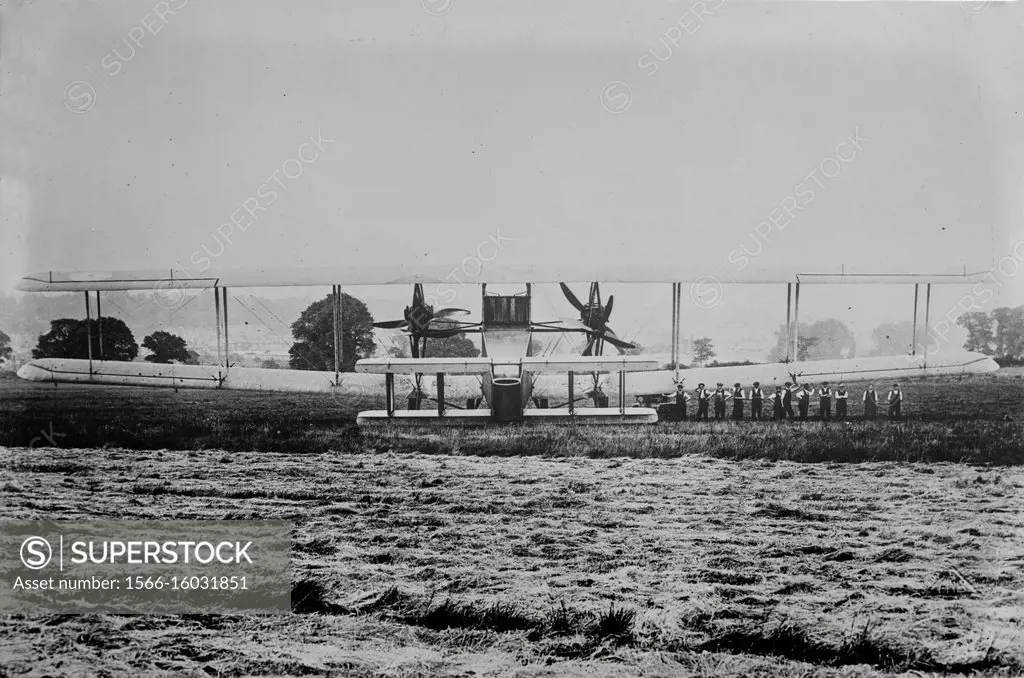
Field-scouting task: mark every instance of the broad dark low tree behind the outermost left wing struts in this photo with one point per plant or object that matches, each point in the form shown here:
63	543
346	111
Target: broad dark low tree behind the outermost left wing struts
67	338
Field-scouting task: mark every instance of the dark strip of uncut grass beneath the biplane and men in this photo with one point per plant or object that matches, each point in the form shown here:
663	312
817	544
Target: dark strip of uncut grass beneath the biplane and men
975	420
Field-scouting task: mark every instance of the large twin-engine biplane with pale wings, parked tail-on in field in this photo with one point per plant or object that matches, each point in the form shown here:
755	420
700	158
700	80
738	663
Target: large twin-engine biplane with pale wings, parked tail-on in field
506	384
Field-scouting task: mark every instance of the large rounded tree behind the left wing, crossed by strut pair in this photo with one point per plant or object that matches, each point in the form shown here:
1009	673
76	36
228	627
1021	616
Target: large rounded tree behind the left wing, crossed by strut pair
314	332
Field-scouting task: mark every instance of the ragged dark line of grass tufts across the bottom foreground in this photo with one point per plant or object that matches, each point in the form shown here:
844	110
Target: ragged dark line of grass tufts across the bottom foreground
867	645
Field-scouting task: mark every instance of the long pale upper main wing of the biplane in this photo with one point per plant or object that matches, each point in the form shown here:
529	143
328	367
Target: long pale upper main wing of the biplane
181	279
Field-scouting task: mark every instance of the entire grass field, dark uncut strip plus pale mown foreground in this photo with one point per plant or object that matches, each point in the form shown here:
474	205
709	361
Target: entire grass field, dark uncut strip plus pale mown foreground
680	549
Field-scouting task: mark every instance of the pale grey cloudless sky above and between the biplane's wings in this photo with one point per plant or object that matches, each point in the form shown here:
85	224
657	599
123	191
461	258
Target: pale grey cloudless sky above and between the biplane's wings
876	137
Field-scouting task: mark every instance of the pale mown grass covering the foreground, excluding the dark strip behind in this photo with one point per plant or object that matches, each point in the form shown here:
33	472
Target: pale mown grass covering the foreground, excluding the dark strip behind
453	565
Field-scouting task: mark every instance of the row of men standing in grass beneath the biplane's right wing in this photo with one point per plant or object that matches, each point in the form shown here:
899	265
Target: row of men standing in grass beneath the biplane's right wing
783	401
